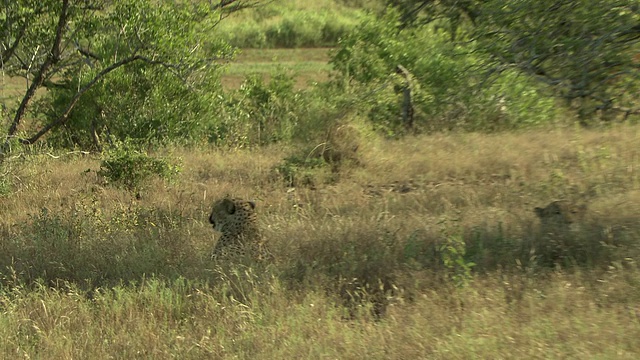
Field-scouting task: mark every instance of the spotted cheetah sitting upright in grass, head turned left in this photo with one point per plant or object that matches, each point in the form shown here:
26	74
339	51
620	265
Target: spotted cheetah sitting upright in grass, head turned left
236	219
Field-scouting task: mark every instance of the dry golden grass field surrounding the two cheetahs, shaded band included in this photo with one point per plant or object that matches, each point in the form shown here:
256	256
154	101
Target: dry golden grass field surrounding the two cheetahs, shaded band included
100	273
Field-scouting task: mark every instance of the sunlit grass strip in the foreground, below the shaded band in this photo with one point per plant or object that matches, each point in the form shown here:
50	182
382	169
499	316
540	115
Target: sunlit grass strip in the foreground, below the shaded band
180	319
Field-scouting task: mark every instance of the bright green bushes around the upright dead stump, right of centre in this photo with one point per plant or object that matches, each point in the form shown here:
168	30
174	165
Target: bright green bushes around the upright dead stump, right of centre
448	91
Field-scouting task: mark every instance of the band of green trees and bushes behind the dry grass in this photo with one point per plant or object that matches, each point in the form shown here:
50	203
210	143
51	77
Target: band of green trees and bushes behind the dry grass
131	70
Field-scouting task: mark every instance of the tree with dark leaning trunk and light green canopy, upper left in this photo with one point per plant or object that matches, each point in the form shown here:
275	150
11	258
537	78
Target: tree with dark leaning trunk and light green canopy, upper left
71	46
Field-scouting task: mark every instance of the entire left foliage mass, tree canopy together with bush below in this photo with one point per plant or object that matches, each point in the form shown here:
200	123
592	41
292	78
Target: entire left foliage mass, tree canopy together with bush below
70	47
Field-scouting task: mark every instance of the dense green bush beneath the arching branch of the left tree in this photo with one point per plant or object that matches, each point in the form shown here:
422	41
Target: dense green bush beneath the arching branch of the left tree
137	102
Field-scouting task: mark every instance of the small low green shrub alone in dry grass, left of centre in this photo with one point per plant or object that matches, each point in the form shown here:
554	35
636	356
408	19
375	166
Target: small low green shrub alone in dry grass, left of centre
130	168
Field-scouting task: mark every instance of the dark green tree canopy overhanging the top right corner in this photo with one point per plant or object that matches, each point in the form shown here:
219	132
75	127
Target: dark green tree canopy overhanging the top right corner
584	50
